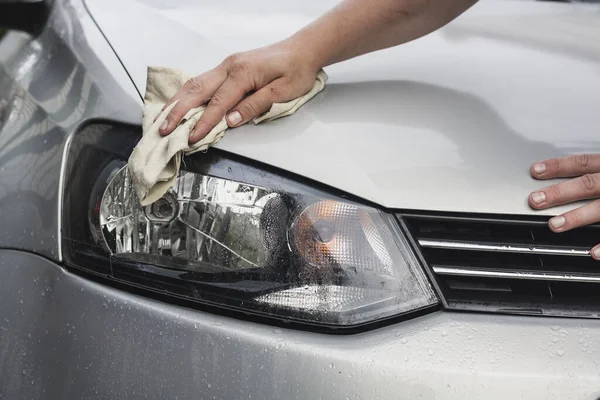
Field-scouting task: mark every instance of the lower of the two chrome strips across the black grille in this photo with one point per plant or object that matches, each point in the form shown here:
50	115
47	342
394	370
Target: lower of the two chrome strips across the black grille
481	273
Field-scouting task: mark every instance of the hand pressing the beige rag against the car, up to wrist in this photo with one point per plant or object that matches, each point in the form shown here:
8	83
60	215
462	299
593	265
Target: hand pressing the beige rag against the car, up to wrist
243	86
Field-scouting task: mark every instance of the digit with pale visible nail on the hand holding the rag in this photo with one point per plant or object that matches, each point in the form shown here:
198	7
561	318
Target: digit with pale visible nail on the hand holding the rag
258	103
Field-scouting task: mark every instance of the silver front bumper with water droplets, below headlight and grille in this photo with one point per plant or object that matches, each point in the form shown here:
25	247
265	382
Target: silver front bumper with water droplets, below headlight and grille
64	337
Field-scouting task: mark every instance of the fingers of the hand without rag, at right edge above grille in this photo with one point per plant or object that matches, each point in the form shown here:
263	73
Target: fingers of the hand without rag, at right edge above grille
585	171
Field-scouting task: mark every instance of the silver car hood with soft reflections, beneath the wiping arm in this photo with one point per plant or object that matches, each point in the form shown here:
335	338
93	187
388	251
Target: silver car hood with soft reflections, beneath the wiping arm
450	122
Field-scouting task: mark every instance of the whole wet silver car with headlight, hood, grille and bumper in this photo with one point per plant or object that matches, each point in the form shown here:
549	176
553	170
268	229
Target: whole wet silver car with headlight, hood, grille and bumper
376	245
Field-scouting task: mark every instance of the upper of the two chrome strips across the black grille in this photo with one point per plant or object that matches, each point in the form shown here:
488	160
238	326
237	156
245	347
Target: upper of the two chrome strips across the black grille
502	248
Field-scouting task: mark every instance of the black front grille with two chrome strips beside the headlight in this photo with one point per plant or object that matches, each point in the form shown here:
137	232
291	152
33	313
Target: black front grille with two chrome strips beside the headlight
514	265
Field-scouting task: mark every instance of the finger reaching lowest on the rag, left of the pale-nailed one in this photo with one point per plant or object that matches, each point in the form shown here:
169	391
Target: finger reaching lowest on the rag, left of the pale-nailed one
225	98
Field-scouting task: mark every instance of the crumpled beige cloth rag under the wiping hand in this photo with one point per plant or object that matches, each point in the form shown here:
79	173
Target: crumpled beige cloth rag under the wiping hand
155	161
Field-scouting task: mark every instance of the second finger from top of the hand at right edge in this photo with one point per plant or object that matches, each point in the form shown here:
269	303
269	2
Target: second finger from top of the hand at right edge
581	188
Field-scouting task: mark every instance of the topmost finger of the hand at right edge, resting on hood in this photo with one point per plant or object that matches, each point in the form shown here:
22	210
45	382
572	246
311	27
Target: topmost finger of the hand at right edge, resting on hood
566	167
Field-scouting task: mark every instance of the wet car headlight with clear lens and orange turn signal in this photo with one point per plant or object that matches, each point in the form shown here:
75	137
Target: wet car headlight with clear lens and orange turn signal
234	236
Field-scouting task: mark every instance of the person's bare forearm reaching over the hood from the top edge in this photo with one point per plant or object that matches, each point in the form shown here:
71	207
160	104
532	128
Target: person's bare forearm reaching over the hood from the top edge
357	27
